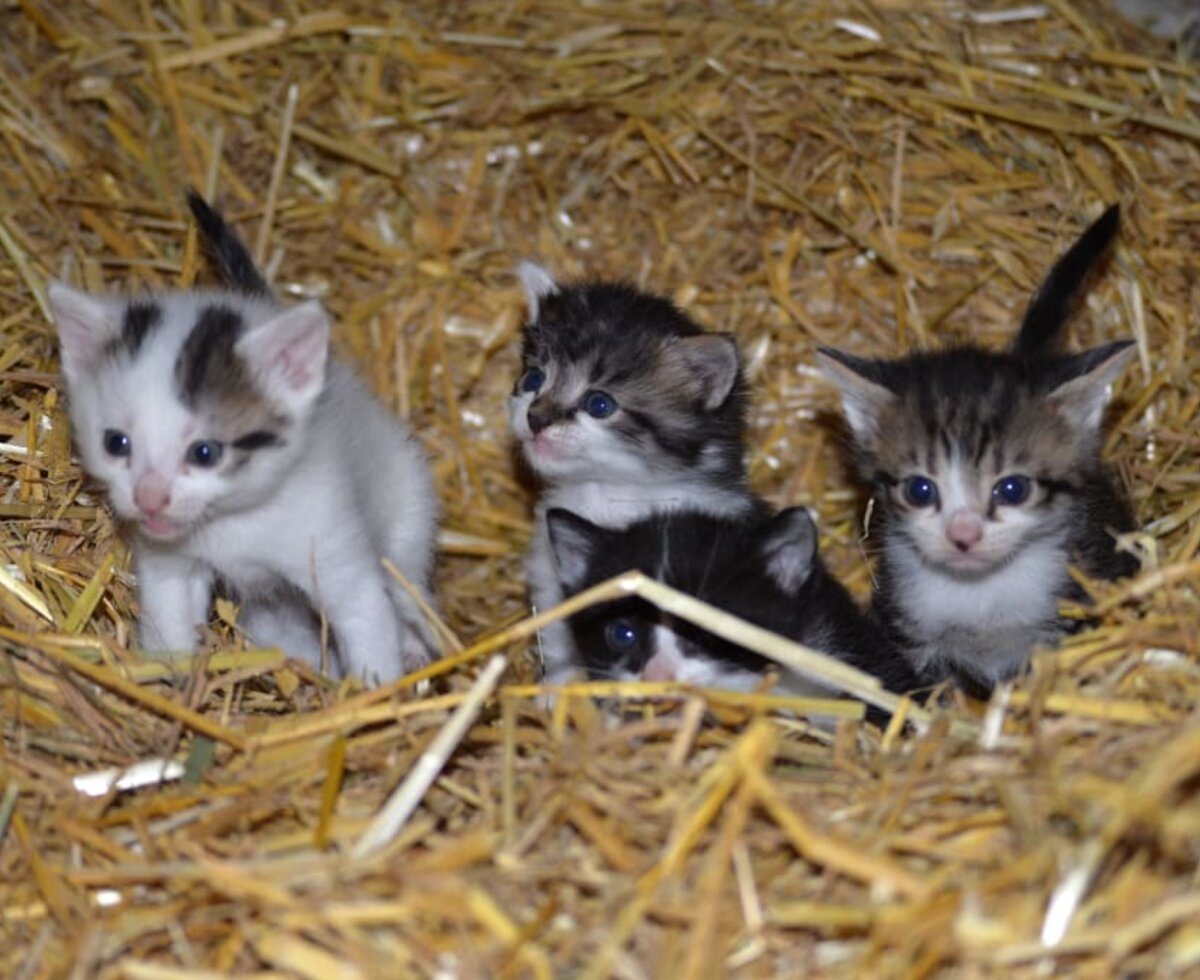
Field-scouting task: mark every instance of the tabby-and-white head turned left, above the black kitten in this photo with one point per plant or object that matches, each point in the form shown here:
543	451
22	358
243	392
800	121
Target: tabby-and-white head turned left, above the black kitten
621	386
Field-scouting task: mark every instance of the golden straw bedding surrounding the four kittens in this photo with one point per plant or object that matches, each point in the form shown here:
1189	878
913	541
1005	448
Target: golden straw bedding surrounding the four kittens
877	177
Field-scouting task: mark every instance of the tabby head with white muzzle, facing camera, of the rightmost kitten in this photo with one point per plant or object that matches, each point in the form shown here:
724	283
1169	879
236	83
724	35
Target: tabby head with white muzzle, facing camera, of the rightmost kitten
974	455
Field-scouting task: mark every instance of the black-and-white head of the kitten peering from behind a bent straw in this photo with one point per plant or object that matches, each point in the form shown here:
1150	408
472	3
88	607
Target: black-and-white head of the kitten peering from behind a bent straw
755	568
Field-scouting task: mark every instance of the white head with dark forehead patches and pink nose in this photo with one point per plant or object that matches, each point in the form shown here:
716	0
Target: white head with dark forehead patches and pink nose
188	405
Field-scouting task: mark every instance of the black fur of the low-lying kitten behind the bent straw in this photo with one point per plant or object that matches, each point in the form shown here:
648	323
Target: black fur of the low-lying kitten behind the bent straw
722	561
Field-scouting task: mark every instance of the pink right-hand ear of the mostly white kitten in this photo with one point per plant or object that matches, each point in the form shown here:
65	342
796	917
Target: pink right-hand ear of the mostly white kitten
287	354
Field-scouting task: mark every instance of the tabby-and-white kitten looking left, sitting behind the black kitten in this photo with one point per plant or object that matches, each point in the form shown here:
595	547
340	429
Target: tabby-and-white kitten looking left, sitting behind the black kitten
625	408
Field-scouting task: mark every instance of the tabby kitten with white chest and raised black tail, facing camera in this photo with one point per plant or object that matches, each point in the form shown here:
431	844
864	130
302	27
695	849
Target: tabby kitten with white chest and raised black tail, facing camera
988	484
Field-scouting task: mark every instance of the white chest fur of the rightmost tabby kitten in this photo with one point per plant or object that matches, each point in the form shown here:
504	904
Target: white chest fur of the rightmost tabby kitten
986	627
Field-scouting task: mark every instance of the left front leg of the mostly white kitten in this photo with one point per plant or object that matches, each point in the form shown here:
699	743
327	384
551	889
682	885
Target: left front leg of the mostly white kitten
175	596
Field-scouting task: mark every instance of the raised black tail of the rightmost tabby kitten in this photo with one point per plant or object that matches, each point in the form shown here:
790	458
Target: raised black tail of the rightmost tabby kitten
1060	292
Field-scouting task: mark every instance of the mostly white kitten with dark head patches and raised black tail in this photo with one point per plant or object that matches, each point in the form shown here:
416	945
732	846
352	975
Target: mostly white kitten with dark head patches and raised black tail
239	453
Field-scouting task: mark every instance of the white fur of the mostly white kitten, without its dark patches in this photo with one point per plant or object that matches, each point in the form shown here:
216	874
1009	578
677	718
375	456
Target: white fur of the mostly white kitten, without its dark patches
319	514
